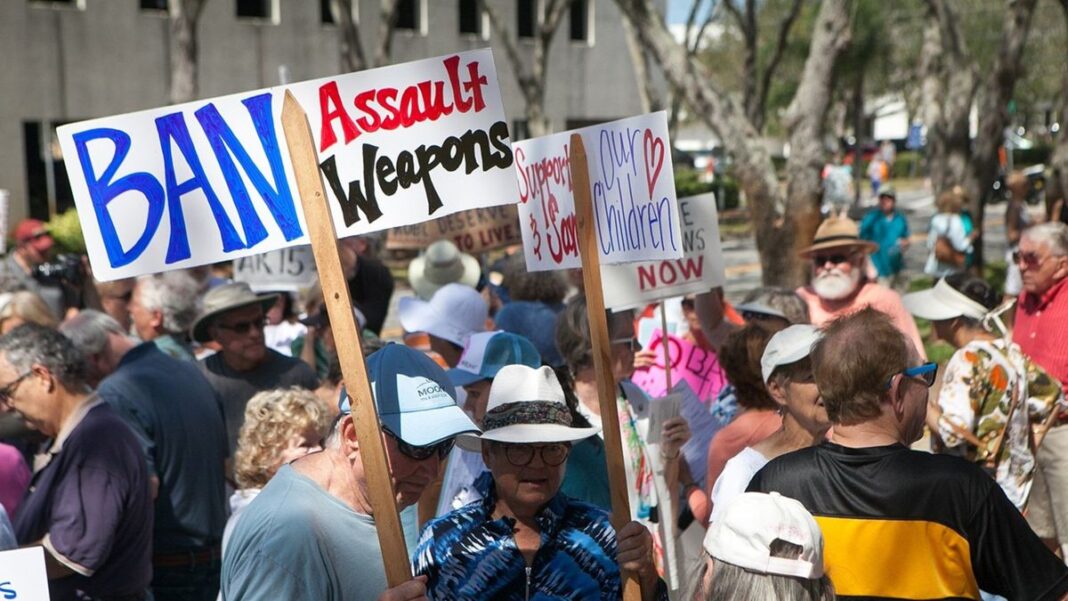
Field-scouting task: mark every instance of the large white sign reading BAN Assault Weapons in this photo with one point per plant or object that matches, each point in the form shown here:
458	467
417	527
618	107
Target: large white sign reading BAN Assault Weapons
212	181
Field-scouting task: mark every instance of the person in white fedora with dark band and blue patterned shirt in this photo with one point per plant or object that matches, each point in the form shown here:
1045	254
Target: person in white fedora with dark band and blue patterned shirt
523	534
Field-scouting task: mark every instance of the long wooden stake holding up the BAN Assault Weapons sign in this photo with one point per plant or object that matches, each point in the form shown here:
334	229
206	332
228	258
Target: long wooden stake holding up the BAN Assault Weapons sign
321	230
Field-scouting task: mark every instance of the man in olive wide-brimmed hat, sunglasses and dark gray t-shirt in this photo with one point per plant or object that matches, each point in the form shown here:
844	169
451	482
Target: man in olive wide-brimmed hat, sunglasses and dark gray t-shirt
234	318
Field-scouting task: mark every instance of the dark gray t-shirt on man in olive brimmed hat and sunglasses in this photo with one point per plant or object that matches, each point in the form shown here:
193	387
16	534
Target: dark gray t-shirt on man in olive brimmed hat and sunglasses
237	388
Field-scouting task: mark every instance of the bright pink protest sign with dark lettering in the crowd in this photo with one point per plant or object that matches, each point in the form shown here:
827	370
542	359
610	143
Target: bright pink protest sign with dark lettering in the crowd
698	368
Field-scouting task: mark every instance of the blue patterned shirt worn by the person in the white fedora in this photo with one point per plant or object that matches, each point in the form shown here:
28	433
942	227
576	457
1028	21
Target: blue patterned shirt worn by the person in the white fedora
467	555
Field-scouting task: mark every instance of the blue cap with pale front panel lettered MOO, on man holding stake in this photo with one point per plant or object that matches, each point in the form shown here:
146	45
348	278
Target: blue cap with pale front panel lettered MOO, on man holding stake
415	399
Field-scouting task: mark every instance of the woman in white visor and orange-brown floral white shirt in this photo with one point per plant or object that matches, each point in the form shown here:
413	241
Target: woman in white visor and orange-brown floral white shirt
992	394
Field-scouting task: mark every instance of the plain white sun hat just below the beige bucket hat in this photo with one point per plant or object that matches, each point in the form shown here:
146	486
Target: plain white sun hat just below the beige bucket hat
453	313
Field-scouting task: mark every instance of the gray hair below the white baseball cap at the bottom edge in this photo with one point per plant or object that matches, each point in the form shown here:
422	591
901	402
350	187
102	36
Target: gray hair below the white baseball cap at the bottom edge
731	582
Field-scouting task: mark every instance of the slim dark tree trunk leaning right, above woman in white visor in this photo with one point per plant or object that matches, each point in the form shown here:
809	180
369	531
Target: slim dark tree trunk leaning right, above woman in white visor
994	109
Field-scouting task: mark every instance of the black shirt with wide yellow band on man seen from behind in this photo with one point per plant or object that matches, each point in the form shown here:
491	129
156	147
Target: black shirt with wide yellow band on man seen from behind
905	525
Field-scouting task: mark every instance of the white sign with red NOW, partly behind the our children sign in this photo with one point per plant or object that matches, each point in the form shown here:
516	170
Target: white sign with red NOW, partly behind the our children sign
700	270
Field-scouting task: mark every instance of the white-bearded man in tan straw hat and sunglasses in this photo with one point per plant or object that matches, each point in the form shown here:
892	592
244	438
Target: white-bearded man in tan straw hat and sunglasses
840	286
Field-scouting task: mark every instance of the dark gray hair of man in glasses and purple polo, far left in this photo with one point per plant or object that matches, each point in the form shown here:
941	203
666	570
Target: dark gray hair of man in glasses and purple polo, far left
32	345
